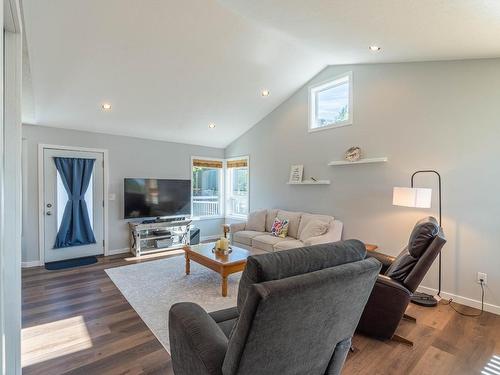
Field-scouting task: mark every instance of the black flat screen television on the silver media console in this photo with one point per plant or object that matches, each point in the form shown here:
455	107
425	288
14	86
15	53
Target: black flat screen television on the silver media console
150	197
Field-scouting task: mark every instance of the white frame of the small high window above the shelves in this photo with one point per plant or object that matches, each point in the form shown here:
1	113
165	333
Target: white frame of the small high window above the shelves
325	85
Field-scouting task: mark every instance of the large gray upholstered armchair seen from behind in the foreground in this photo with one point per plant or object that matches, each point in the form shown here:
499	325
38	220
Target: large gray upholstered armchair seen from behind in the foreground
296	313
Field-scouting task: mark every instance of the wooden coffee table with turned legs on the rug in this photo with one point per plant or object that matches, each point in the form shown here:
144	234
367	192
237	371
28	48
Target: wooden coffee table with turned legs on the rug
222	264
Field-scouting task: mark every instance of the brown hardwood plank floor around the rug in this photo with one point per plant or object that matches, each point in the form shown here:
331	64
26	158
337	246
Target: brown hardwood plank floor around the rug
77	322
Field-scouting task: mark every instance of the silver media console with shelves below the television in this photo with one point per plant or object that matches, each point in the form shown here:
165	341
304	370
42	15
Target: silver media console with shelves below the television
159	235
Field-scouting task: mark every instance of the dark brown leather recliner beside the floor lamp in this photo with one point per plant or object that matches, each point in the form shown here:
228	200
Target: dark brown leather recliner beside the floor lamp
399	279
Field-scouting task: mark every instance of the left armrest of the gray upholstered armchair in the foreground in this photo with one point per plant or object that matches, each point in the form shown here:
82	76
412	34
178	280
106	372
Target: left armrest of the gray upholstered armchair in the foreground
197	344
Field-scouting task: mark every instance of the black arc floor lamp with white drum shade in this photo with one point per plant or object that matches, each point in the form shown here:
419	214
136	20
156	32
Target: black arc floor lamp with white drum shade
420	198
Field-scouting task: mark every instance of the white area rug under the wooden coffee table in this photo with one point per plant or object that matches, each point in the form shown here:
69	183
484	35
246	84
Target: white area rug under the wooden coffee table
152	287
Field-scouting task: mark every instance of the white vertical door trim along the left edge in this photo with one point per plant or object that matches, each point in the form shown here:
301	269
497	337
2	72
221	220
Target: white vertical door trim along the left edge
10	189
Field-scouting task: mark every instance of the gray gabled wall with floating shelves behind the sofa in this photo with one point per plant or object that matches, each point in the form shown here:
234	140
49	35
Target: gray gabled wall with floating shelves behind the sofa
440	115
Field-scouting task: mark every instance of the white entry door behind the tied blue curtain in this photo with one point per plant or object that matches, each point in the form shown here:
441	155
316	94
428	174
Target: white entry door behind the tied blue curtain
56	197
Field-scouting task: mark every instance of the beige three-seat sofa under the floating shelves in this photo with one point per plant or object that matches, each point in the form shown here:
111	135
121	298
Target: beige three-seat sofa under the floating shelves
255	235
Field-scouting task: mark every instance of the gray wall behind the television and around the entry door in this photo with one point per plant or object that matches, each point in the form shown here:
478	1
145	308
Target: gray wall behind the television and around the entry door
128	157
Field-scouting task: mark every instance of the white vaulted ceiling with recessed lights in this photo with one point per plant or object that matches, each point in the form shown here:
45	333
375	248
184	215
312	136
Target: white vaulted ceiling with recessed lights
169	68
